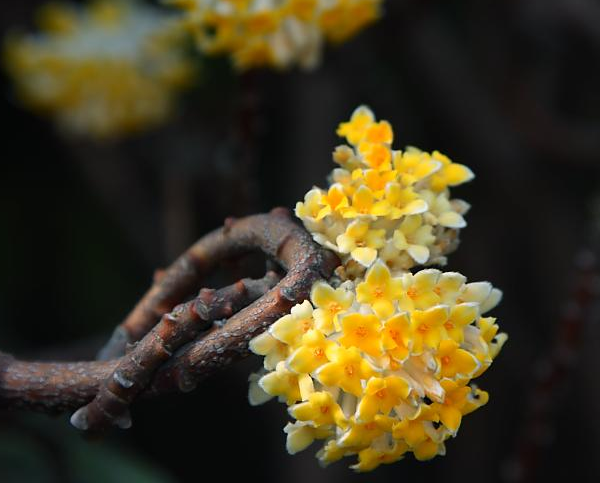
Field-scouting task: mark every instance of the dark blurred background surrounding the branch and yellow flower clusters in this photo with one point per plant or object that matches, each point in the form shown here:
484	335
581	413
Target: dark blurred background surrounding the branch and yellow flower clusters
508	88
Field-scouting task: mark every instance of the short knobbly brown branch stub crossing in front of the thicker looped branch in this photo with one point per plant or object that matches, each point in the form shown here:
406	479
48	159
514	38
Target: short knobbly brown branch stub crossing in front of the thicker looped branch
110	407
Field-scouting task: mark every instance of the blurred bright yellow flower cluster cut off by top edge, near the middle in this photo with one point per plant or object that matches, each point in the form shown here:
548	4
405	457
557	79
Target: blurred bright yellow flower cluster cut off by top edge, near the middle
278	33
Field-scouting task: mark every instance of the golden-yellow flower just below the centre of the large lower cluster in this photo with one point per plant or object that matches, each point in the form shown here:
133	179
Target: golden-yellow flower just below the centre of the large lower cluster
381	395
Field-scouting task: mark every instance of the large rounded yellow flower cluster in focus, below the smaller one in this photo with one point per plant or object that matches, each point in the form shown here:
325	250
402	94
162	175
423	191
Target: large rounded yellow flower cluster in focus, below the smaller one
380	367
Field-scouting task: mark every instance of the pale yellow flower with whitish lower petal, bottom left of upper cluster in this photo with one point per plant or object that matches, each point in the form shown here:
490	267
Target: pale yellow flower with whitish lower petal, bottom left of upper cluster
361	242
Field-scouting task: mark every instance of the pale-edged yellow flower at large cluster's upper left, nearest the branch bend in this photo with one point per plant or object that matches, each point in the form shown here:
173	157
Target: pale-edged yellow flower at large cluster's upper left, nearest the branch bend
330	303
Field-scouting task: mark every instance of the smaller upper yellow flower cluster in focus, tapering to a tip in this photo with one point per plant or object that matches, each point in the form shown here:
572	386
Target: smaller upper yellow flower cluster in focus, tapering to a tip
384	203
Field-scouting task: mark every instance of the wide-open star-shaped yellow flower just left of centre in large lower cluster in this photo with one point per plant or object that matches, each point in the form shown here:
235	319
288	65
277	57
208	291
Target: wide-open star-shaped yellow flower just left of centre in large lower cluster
346	370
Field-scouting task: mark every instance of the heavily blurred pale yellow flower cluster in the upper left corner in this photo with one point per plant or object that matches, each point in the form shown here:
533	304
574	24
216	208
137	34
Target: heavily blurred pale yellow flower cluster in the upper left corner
103	70
